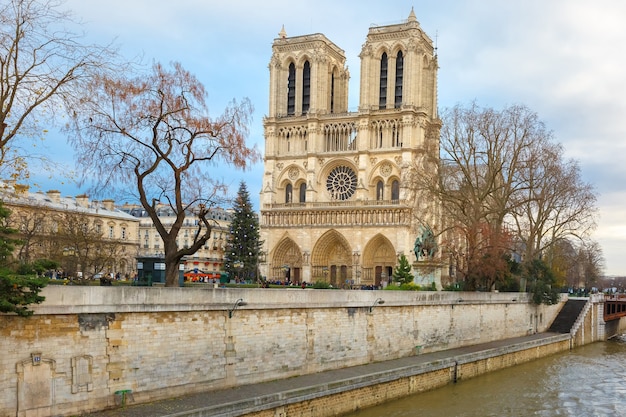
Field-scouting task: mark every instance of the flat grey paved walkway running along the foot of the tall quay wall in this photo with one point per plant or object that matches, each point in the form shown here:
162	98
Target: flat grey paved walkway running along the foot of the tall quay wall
241	400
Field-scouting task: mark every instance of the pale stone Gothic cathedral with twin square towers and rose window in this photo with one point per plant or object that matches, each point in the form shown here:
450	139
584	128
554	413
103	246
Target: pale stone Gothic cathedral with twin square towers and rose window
335	203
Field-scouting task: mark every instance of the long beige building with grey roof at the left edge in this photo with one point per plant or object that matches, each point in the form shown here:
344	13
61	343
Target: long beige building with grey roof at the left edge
86	237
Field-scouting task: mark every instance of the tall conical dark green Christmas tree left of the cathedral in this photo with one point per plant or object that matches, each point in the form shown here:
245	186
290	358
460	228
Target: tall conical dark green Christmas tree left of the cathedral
244	246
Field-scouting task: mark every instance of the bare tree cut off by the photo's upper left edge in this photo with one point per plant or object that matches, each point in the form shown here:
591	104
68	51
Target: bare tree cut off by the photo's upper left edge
43	67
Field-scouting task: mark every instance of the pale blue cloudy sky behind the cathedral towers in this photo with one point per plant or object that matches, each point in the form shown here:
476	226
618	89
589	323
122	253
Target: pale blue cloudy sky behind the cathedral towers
563	59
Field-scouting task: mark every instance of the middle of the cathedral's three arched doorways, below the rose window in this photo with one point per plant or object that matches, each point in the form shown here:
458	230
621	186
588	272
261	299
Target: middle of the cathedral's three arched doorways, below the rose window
331	259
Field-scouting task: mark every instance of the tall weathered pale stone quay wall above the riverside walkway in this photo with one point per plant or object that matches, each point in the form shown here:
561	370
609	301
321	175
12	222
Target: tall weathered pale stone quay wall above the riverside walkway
85	345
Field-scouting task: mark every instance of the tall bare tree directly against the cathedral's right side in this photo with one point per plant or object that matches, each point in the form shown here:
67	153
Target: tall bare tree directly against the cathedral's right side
482	155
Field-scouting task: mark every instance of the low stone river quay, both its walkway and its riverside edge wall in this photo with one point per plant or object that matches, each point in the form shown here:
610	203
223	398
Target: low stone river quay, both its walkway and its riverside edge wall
349	389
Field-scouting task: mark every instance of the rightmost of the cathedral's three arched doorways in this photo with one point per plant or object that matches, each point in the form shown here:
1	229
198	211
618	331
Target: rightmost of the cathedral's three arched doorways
379	258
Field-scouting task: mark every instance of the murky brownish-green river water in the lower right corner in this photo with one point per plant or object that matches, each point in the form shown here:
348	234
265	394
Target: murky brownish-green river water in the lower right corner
587	381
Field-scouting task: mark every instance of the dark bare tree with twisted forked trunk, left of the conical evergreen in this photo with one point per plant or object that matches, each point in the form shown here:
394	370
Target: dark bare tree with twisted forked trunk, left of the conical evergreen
153	132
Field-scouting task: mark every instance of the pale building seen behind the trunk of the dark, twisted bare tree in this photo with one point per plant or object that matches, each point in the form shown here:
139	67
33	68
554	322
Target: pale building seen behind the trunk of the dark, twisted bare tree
204	265
